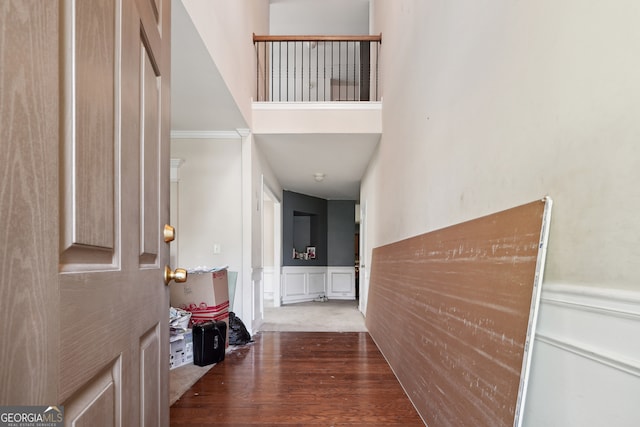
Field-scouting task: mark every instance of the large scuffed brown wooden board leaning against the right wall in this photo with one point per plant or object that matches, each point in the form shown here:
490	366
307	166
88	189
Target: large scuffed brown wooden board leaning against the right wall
450	312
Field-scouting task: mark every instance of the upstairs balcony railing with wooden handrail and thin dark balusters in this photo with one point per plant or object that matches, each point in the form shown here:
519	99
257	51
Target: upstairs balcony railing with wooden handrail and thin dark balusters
317	68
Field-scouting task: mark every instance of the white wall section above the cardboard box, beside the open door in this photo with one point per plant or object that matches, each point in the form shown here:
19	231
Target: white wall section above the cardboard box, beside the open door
208	202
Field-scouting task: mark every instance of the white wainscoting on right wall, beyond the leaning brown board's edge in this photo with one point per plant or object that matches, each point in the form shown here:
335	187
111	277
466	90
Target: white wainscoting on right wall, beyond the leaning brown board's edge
586	359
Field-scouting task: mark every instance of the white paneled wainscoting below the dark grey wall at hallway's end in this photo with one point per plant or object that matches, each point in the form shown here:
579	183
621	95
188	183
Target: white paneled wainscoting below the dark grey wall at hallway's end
308	283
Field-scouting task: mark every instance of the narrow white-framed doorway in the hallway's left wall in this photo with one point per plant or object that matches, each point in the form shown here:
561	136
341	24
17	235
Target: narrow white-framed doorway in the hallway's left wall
271	247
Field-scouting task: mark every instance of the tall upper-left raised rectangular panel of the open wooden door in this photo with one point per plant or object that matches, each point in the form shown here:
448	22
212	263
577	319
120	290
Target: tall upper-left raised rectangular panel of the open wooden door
88	223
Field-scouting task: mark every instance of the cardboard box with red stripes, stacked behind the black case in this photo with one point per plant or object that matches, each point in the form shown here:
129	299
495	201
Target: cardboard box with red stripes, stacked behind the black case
204	295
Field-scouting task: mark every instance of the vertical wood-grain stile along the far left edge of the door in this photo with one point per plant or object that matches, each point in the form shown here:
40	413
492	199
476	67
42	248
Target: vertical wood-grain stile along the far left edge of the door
28	202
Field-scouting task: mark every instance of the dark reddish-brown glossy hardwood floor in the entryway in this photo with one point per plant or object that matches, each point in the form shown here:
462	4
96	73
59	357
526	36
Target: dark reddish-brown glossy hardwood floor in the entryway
299	379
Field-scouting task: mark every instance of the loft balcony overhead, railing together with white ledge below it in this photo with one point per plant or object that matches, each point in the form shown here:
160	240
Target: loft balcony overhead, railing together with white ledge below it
317	84
